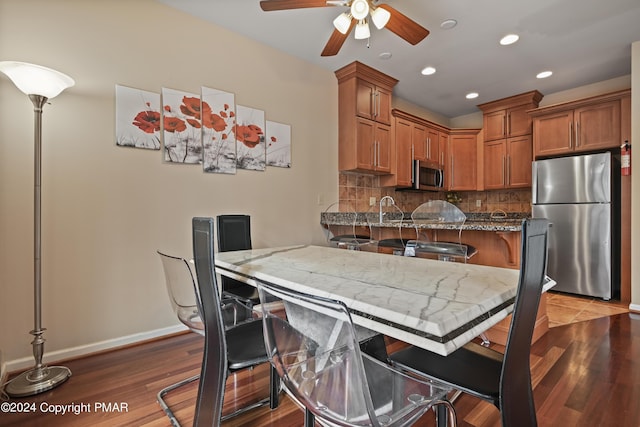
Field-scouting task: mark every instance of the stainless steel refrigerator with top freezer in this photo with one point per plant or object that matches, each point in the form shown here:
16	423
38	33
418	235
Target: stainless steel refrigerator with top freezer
578	196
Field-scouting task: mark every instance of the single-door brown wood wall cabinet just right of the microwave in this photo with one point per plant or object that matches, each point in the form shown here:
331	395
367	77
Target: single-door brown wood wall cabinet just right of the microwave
462	160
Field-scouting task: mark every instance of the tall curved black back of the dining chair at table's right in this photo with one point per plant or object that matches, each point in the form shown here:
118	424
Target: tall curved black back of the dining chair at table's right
516	395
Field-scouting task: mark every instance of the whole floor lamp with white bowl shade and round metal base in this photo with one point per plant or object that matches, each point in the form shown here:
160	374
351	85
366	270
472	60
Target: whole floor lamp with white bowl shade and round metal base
39	84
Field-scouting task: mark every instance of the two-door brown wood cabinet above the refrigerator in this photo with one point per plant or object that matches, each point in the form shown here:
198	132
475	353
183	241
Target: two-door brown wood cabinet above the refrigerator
579	126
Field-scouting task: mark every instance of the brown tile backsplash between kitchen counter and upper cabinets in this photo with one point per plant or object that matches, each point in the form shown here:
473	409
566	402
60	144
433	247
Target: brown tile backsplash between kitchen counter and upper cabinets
355	191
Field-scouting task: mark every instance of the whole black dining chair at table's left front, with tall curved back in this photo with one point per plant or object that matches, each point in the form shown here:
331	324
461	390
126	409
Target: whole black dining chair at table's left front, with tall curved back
226	350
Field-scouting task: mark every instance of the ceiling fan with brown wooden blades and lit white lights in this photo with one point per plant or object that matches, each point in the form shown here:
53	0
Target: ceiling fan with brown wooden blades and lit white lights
382	15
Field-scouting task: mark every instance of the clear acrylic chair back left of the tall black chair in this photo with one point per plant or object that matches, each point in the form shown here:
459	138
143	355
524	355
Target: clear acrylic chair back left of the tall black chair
182	291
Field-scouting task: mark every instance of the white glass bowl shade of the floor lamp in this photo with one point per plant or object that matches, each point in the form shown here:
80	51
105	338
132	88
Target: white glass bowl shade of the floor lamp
35	79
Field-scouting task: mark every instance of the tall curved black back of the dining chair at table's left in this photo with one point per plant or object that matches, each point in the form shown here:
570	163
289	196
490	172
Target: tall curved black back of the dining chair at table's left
214	362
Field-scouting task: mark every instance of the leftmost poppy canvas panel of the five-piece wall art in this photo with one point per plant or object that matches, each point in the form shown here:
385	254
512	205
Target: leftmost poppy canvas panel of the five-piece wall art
138	118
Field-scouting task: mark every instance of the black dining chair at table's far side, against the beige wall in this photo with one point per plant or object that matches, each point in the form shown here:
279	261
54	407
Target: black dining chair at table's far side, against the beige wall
234	234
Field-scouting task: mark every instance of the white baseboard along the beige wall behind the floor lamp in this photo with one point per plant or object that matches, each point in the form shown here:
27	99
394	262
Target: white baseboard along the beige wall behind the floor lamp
84	350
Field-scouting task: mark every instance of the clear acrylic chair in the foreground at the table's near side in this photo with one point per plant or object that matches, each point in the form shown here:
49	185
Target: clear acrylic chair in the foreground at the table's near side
314	348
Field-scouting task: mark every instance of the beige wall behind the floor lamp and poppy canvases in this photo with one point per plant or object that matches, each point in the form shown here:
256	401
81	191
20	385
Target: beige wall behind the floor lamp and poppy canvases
107	209
